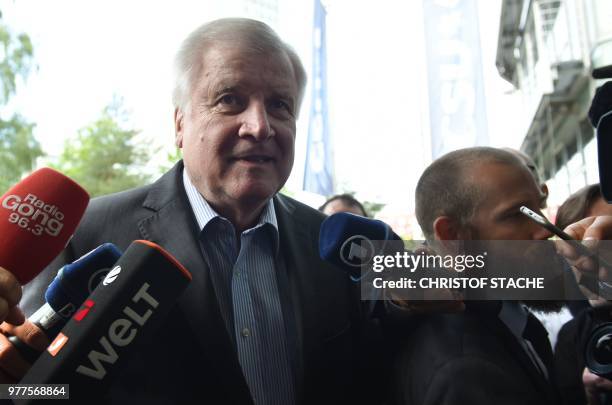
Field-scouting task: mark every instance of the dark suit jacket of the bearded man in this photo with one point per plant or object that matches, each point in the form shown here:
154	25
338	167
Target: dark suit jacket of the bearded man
468	358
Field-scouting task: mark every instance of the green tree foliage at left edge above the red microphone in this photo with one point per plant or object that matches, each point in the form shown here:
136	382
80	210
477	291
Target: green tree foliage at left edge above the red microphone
18	147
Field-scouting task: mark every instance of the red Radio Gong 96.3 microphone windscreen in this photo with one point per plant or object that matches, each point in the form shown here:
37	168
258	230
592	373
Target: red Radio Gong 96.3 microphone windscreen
38	216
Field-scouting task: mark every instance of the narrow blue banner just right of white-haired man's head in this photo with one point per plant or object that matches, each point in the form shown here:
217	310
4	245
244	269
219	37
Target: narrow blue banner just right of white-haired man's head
318	173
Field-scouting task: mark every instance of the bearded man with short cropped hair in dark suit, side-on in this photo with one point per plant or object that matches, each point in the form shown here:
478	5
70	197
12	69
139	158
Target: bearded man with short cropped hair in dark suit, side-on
495	352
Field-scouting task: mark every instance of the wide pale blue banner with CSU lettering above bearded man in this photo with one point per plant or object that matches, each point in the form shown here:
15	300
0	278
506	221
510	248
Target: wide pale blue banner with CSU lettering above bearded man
457	110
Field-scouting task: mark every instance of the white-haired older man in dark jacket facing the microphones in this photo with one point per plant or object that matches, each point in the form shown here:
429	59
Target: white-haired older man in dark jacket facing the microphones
264	319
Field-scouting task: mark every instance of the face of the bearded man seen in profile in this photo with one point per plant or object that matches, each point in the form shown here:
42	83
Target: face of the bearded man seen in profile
505	188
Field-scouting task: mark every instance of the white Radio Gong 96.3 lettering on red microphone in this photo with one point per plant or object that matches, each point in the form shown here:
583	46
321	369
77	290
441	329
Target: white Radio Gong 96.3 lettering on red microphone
33	214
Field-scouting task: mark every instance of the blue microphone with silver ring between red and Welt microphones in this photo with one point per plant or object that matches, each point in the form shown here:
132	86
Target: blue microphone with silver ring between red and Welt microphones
67	292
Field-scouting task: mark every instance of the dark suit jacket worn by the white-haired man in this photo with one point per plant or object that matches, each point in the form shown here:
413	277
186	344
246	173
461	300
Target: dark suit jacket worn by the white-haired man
192	358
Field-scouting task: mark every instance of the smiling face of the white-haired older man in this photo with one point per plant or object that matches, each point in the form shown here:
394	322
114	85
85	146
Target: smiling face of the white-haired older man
238	131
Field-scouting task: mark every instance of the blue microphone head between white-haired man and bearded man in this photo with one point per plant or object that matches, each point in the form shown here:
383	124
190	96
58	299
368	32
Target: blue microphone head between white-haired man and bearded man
350	242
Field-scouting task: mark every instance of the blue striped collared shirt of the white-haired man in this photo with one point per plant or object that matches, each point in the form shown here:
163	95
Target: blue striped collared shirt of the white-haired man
245	279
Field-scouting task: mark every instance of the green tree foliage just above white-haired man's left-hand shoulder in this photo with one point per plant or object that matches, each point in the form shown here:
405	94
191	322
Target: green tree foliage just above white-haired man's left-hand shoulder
104	157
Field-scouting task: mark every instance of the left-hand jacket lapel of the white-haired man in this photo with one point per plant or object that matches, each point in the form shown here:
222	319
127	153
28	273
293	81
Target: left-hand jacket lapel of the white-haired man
173	227
